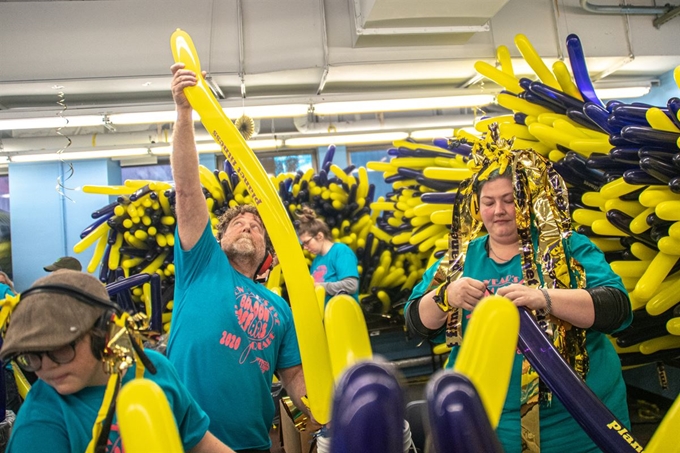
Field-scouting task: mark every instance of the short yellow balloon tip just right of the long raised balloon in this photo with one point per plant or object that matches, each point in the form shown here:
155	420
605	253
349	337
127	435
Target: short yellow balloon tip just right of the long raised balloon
347	334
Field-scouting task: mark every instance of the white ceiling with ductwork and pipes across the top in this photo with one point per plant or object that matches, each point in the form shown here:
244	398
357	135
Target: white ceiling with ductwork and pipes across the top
107	56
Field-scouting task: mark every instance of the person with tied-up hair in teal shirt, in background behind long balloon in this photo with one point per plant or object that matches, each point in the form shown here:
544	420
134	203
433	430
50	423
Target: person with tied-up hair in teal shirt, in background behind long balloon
335	264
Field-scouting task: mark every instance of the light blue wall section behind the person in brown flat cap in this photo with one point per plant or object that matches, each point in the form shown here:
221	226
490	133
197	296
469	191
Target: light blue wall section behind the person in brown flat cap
46	221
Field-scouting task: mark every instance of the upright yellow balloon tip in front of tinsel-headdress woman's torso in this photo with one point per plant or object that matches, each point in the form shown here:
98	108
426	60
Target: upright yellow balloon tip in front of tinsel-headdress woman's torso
487	354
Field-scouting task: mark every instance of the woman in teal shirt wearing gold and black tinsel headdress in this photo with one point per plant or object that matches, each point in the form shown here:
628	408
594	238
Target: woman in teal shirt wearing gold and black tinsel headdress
532	257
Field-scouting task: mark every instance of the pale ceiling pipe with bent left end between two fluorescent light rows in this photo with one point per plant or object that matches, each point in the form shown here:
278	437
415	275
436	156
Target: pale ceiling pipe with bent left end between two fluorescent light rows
305	127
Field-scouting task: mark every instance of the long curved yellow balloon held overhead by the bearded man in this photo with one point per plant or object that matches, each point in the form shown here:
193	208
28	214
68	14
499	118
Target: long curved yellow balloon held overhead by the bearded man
308	325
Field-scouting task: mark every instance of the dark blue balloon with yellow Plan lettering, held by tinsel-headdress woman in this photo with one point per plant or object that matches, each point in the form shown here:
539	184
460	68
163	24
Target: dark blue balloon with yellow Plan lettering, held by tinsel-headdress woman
596	420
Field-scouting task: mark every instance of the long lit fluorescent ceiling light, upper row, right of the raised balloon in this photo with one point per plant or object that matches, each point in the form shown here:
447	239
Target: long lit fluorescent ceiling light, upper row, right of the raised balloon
393	105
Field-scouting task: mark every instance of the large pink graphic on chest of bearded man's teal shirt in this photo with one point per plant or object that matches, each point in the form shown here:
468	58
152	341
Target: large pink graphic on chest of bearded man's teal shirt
257	317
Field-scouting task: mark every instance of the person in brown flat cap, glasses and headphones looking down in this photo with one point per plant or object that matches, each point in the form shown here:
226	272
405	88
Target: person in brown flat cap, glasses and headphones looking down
58	328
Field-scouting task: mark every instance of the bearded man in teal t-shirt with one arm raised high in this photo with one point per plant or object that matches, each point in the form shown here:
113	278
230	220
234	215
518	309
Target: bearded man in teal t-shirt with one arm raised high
229	334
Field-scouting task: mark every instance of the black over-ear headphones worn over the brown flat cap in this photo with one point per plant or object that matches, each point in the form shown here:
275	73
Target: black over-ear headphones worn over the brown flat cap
100	327
